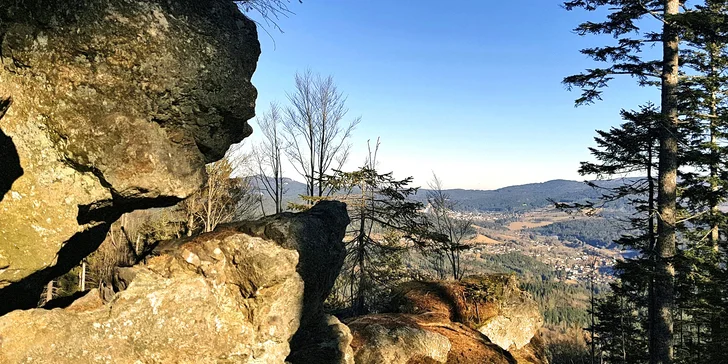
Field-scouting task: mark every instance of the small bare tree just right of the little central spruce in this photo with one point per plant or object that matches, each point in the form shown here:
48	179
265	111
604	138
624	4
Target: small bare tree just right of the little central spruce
454	229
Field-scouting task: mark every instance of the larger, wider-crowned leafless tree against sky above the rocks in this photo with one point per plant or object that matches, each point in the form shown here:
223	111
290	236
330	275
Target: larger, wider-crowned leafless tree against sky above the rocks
315	129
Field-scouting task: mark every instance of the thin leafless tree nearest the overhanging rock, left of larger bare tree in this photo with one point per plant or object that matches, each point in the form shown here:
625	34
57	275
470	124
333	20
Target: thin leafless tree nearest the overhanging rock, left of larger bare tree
268	157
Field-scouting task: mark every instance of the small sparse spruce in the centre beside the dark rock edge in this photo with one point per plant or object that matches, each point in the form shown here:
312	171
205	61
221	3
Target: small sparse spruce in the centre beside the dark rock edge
383	221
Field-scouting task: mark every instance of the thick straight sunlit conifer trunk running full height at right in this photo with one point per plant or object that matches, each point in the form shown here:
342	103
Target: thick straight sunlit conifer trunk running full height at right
662	352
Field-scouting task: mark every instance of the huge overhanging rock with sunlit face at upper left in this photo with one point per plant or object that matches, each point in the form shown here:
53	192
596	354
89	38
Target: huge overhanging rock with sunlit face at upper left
114	105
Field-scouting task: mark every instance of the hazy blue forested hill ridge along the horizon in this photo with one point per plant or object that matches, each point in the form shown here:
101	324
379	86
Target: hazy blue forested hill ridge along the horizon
518	198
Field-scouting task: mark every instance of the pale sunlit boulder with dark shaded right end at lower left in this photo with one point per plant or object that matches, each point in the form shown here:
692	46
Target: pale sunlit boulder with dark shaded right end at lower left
222	297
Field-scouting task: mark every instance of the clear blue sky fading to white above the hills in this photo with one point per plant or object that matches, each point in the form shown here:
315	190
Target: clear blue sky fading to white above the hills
469	89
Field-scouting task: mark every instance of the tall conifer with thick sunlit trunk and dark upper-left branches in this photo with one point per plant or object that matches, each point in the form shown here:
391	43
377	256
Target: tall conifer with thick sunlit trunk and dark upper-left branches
626	57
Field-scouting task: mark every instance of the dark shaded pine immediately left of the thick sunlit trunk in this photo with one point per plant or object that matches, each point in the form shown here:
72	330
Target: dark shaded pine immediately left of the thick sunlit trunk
630	148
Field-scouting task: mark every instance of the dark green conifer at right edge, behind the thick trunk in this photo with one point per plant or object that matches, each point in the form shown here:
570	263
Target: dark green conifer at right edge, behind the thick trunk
700	280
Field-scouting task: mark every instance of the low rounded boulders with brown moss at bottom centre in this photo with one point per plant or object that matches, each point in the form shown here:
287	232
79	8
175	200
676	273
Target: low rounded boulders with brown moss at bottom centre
485	319
